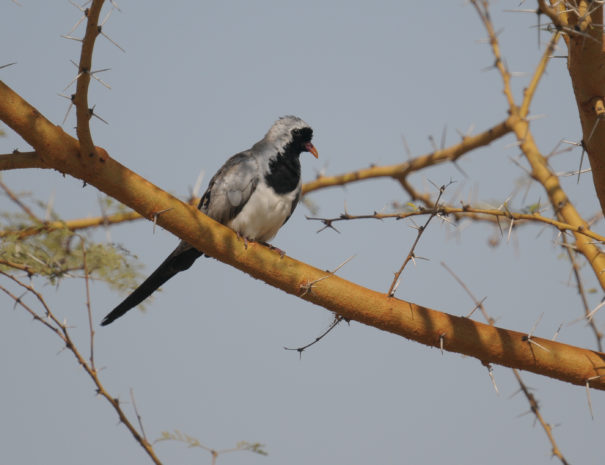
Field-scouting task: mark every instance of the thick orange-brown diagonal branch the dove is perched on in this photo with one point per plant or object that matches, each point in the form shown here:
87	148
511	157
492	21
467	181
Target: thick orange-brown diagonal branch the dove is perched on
351	301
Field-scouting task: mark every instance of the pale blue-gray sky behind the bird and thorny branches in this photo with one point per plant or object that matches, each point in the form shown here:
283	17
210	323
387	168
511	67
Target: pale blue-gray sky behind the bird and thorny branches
201	81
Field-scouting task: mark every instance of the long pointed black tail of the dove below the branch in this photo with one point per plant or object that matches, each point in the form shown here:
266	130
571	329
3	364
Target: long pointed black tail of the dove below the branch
179	260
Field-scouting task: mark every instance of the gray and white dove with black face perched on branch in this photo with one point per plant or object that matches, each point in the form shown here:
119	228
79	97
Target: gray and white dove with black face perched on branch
254	193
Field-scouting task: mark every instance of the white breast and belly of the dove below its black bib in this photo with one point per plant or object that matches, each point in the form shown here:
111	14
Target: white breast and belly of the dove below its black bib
263	214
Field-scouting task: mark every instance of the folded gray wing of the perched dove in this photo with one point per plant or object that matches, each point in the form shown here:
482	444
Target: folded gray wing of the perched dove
230	188
